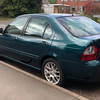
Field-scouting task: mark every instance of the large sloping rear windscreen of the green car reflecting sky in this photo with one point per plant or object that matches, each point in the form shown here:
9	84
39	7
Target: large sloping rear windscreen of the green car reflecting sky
80	26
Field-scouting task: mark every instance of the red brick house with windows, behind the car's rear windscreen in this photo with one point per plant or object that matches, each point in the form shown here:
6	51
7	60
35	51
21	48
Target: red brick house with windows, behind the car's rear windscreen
75	5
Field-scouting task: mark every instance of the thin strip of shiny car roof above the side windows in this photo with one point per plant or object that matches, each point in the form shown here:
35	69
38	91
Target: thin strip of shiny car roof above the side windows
50	15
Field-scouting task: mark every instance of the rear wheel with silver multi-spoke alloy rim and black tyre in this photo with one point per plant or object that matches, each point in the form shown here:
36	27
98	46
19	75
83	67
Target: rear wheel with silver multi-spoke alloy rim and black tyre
52	72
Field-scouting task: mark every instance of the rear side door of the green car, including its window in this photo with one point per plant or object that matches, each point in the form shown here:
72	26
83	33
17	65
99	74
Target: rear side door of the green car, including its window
36	41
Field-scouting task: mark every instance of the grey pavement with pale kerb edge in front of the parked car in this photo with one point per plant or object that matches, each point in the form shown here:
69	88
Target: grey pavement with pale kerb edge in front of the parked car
16	84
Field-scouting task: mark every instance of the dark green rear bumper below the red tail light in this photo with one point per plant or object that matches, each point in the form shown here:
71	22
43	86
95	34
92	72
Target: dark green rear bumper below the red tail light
84	71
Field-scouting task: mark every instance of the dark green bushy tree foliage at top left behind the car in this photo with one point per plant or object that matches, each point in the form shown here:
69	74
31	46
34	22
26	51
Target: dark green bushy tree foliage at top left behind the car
14	8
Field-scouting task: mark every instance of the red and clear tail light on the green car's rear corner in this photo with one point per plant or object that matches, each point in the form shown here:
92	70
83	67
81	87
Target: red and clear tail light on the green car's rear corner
89	54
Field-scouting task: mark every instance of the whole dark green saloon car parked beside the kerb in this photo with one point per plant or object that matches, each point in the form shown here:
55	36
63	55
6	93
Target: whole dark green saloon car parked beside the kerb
60	45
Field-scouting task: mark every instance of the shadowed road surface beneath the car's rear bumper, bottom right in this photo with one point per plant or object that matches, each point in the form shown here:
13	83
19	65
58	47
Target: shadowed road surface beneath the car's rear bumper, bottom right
90	91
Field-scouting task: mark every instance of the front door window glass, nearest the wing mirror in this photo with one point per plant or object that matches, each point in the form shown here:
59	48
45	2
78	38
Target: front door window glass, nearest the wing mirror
16	26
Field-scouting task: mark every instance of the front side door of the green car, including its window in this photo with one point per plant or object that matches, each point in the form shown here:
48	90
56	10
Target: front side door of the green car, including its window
10	38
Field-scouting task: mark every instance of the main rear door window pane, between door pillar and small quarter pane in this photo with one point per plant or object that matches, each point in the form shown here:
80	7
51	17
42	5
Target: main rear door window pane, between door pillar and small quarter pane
36	27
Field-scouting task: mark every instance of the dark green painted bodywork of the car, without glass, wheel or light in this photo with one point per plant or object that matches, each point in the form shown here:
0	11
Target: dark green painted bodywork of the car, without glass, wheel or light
62	45
